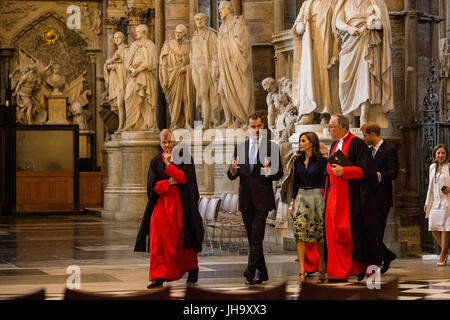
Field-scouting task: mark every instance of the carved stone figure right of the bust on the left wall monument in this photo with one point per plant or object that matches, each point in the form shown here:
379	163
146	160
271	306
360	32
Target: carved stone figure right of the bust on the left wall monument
77	99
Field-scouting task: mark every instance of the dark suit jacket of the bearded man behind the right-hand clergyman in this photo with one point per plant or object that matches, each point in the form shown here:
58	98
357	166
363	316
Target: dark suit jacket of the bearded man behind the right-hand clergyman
386	163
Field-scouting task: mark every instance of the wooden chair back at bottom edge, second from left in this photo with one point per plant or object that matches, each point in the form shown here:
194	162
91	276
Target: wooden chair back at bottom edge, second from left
154	294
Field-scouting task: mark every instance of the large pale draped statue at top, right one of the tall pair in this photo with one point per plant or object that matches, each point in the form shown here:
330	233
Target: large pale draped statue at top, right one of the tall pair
365	71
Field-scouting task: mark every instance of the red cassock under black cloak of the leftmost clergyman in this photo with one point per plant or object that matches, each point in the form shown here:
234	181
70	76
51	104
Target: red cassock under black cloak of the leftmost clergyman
168	258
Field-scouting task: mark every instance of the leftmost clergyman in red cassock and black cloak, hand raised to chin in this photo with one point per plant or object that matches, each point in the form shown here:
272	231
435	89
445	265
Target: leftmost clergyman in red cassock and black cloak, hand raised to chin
171	218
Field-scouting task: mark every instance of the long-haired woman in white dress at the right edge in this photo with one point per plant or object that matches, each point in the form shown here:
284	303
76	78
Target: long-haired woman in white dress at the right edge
438	199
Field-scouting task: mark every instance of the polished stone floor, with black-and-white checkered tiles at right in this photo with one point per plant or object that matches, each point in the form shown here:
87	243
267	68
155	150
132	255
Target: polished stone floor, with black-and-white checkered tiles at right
38	252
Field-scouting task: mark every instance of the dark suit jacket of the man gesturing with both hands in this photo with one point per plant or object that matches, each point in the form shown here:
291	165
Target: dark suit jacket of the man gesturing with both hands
254	187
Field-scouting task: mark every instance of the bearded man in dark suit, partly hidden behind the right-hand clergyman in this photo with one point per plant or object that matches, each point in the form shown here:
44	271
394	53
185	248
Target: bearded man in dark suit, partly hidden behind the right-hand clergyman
386	165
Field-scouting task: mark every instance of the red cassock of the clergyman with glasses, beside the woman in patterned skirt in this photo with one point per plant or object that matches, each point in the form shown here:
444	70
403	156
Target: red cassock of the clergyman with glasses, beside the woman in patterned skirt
340	264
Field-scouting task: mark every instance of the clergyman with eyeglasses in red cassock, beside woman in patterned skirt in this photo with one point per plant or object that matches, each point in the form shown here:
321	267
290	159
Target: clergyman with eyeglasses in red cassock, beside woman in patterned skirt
349	249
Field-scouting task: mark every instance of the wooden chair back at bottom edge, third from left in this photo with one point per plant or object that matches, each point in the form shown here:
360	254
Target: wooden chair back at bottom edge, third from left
275	293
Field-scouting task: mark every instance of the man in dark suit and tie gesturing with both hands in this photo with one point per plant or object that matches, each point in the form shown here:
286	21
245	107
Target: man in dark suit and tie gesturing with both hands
257	162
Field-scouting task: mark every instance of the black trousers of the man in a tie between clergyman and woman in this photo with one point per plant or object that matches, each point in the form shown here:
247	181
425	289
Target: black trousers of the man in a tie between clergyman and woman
255	225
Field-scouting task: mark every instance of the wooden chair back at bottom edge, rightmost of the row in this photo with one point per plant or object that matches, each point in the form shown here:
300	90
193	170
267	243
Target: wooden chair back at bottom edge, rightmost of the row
314	291
